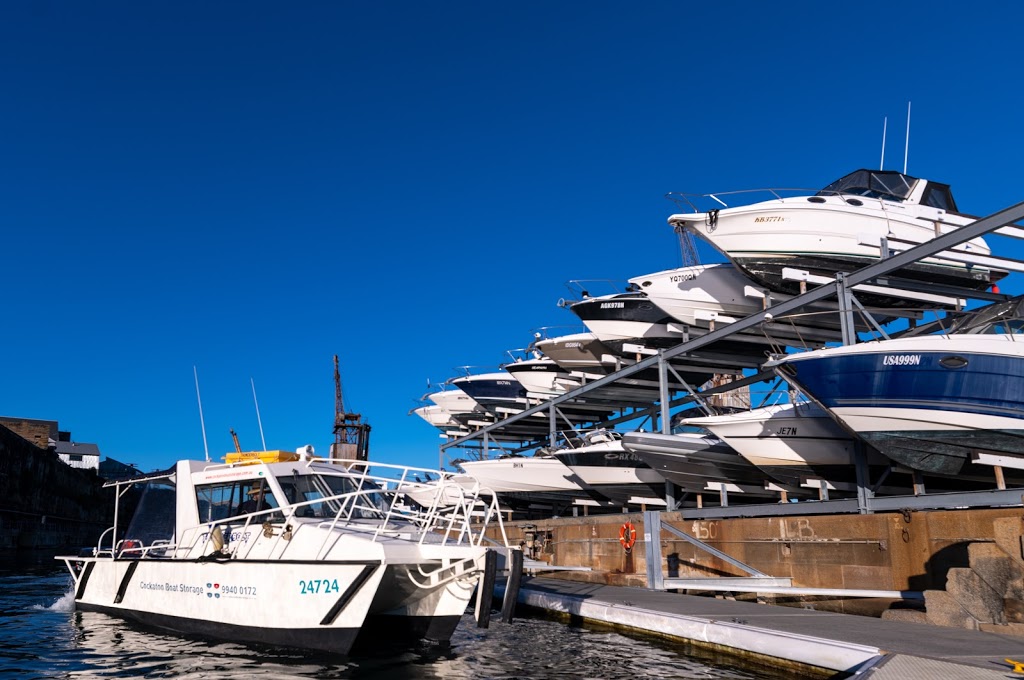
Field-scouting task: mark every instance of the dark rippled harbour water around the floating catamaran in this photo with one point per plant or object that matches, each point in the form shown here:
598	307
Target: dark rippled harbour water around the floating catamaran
44	637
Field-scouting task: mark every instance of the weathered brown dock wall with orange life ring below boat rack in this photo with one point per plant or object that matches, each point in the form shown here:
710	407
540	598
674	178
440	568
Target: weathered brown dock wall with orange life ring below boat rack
904	551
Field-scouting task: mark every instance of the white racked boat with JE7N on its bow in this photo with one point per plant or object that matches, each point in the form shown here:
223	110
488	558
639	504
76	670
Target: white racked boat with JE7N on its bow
792	443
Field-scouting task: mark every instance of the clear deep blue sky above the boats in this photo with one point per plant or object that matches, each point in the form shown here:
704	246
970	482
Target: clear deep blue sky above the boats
252	188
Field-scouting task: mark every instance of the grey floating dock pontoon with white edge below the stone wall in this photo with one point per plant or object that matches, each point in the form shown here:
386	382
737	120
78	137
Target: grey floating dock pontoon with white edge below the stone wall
820	643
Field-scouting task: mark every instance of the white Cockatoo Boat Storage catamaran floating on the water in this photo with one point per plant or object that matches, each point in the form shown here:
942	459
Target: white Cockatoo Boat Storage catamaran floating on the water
271	548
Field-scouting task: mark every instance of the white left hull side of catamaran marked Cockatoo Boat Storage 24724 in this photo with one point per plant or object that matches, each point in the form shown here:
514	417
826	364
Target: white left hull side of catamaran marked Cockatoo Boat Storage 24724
315	606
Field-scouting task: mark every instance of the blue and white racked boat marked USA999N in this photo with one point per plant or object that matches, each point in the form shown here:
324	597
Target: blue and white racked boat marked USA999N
928	403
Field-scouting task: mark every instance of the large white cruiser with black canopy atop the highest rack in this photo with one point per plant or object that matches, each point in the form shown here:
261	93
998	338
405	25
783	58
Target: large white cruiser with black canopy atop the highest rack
843	228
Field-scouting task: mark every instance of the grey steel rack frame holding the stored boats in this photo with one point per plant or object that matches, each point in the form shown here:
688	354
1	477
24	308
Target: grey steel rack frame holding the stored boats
601	394
